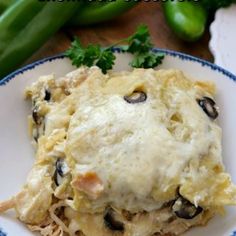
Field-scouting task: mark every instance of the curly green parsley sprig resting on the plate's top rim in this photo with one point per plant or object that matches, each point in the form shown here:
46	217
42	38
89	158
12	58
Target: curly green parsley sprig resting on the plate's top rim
139	44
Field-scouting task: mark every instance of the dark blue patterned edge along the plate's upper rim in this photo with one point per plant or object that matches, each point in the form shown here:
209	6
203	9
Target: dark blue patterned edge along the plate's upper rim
182	56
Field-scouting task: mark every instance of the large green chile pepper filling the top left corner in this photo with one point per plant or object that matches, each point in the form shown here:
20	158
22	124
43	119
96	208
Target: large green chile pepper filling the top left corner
26	26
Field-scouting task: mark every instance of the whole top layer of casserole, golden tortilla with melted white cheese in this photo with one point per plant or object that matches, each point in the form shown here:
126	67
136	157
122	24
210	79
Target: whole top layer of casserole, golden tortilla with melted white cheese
142	153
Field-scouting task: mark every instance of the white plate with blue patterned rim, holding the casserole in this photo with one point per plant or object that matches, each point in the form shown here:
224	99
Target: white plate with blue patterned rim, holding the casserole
17	155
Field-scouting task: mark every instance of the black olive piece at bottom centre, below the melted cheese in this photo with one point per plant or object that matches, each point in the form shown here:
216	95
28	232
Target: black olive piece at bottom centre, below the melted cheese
111	222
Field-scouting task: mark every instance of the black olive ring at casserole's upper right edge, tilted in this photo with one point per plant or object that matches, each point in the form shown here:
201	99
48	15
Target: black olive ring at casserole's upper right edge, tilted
209	107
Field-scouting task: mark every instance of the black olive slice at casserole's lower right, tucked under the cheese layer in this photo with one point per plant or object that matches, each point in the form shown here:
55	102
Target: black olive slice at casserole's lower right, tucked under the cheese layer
185	209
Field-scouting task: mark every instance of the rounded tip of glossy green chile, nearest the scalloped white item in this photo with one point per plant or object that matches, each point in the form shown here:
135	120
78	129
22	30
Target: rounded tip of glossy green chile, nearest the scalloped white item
186	18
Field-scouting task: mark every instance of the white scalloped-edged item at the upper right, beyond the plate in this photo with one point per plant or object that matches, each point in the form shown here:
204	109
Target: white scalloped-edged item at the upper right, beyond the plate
223	41
